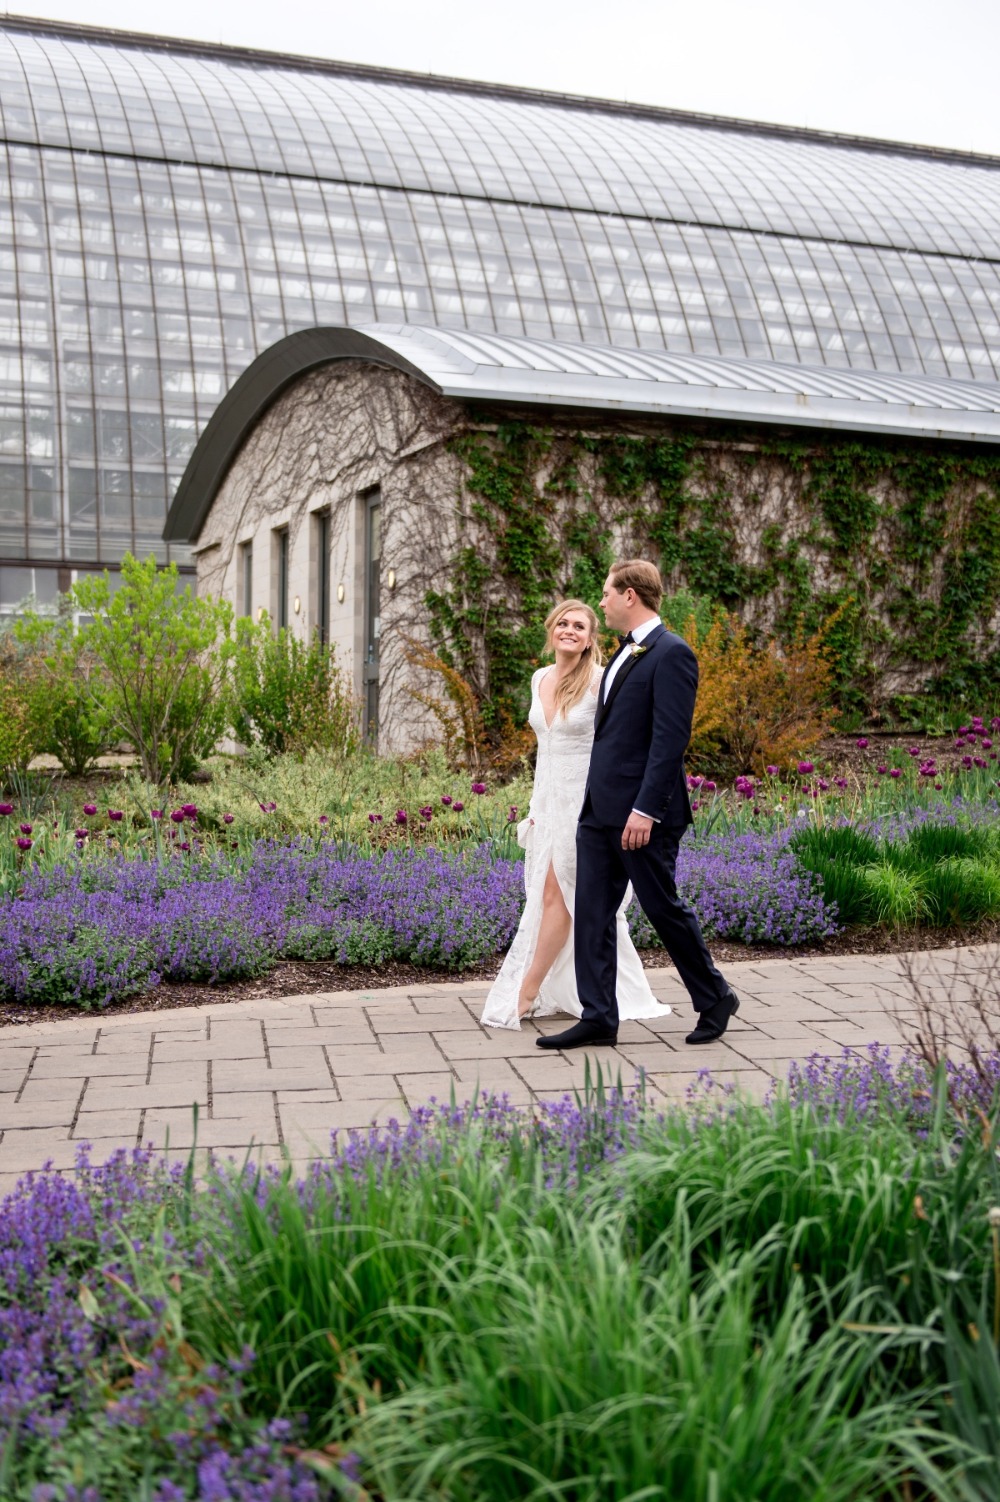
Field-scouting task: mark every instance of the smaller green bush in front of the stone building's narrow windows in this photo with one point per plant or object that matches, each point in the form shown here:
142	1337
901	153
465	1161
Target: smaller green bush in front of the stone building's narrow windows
289	696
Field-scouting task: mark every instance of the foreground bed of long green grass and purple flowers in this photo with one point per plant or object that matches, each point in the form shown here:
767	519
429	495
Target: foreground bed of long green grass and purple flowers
723	1300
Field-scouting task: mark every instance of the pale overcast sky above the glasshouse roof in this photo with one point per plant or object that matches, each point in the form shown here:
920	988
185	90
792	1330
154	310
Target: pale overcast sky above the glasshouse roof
909	70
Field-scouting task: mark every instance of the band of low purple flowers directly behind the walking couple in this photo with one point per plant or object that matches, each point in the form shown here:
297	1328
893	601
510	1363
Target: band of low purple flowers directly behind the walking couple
97	930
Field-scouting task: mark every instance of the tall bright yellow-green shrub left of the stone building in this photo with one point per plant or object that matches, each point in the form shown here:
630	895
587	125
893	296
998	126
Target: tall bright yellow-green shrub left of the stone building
163	660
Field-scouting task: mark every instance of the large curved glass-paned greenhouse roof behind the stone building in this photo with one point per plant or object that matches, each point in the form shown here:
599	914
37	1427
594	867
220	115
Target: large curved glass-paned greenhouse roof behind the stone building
169	214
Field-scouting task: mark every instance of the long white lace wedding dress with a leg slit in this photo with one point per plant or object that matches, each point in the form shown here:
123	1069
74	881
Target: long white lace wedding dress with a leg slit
561	780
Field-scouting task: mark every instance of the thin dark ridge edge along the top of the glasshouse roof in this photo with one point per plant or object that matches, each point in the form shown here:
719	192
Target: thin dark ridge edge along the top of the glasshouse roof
154	41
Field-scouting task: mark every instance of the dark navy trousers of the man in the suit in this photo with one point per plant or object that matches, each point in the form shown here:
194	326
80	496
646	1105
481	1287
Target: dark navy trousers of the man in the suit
603	875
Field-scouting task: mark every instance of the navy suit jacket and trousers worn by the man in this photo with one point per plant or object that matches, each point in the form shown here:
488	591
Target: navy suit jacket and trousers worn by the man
642	734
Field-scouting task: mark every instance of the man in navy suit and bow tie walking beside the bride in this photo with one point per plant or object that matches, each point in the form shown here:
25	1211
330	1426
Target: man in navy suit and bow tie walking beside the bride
636	812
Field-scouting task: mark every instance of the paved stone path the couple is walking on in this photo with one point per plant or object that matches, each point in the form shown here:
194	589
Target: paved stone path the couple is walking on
280	1075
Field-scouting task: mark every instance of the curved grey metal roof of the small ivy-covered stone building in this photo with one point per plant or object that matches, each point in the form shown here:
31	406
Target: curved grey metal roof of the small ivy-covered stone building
588	378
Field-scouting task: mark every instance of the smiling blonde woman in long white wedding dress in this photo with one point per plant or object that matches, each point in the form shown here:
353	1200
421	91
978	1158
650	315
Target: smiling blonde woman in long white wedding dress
538	976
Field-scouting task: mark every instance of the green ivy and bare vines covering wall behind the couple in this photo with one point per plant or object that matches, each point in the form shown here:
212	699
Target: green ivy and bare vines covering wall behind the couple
783	532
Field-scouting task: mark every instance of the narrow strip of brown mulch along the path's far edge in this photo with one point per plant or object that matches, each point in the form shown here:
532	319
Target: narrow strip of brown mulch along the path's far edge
304	979
